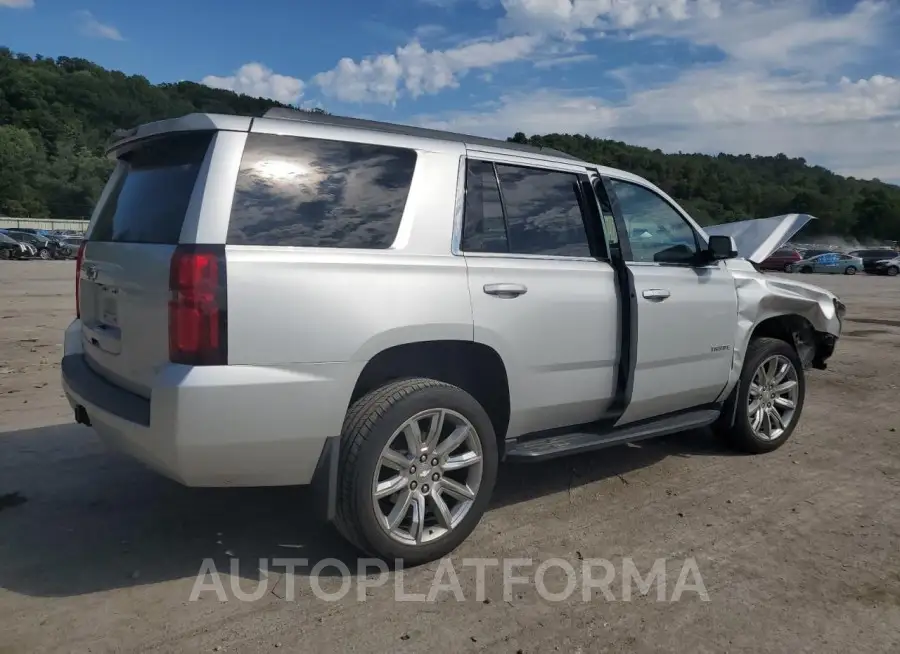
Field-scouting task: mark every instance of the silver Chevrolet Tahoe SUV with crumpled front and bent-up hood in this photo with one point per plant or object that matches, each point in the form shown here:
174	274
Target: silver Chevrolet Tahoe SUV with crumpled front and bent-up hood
388	312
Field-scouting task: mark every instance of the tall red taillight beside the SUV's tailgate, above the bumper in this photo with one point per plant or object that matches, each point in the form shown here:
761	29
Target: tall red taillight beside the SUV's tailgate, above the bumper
198	310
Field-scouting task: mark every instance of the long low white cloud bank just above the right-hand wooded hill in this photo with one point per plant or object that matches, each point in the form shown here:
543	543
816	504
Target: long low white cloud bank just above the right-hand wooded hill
852	127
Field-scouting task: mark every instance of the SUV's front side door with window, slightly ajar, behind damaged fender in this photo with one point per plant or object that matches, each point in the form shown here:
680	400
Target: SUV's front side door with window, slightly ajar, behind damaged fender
686	313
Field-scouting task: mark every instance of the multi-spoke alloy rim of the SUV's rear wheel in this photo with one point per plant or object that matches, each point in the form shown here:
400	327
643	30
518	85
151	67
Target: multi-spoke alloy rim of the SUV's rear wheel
427	476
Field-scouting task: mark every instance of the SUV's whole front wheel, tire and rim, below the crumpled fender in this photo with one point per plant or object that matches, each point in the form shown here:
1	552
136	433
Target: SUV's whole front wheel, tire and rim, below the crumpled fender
768	399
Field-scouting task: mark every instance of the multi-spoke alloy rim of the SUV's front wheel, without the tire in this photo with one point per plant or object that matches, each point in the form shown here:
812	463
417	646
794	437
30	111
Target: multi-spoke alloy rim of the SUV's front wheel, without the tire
773	396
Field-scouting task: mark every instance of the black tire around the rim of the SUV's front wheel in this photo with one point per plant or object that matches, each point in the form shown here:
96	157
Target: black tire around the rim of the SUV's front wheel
741	435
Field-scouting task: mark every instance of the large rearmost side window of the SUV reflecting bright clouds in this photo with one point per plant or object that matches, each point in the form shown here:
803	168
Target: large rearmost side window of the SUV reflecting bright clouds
305	192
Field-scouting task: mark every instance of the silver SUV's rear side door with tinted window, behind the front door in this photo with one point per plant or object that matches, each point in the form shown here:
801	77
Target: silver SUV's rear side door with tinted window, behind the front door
543	294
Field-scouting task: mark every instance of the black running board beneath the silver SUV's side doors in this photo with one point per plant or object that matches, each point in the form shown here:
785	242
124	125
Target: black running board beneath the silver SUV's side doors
549	447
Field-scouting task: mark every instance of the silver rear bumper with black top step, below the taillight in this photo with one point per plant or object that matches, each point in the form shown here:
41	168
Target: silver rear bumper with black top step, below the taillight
217	425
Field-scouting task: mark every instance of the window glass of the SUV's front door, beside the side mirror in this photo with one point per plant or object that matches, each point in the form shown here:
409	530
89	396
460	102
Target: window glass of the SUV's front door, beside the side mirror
656	231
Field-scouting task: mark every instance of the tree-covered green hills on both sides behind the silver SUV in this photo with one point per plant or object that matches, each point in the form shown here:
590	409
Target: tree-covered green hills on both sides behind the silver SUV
56	115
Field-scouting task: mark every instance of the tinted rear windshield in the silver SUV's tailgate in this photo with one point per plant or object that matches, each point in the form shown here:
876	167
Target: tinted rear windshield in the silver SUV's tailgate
149	201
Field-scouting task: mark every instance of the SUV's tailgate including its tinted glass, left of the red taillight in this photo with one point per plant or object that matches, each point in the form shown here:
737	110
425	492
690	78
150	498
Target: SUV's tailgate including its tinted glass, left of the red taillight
124	283
